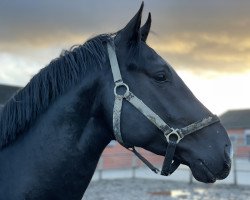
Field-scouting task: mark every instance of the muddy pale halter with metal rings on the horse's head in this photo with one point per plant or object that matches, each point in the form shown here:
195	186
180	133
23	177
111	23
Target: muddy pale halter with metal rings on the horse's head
172	135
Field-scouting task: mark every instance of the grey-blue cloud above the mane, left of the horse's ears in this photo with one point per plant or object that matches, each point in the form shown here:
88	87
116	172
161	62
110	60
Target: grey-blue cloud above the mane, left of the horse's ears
28	20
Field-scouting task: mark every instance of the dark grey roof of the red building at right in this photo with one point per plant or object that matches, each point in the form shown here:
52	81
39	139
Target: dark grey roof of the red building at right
236	119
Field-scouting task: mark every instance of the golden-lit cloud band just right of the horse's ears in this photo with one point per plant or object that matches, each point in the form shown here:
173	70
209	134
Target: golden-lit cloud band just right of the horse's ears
219	52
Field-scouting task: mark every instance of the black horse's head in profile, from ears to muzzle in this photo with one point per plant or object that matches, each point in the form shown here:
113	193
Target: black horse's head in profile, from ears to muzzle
154	81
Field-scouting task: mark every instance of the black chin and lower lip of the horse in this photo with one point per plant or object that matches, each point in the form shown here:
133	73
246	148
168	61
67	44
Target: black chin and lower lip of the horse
202	173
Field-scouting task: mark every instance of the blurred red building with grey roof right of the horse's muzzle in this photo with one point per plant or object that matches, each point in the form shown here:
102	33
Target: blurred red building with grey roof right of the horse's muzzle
237	124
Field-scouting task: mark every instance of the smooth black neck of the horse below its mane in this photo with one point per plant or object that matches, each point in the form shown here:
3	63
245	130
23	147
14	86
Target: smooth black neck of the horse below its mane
70	138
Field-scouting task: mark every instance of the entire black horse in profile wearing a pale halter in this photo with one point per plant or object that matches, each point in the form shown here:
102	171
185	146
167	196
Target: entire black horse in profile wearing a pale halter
53	131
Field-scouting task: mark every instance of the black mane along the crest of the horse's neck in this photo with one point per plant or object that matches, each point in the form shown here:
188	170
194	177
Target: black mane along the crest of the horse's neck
52	81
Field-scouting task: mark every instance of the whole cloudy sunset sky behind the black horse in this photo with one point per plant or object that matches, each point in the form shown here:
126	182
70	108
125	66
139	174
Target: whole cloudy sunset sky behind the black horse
207	42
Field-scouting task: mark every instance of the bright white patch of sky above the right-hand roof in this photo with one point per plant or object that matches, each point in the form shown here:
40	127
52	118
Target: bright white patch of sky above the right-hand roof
220	93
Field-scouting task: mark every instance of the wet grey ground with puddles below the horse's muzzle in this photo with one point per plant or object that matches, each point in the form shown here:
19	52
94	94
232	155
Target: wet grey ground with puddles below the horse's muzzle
148	189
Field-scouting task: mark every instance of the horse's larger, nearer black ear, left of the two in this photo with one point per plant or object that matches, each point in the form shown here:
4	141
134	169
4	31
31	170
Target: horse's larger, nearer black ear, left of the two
131	32
